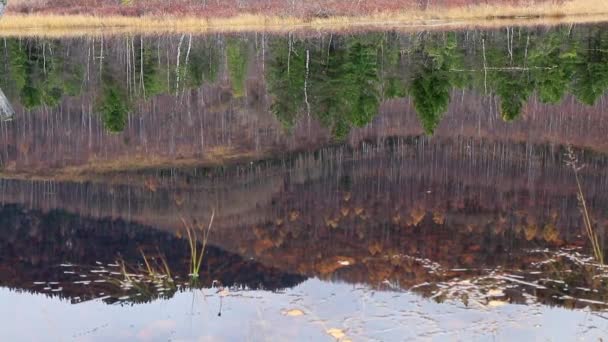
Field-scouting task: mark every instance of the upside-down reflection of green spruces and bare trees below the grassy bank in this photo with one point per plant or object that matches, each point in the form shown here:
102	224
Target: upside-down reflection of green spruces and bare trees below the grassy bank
186	100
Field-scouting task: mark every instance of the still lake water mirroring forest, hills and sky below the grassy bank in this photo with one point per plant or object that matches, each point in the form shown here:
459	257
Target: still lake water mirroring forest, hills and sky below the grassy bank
382	186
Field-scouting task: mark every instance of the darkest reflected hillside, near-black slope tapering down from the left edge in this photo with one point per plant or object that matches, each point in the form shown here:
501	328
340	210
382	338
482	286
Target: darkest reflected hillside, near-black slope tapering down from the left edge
78	258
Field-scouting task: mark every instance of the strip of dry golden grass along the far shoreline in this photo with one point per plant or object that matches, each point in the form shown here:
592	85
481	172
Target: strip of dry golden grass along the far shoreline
575	11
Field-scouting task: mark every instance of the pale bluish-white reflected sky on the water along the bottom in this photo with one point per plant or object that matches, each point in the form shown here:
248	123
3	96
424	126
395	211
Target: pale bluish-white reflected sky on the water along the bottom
258	316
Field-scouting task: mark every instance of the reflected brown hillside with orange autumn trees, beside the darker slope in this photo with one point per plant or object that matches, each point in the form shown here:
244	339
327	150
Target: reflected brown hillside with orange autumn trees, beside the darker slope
421	213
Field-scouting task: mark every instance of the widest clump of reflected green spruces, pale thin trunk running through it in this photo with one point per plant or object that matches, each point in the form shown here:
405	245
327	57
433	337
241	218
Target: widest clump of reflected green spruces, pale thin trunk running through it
343	88
